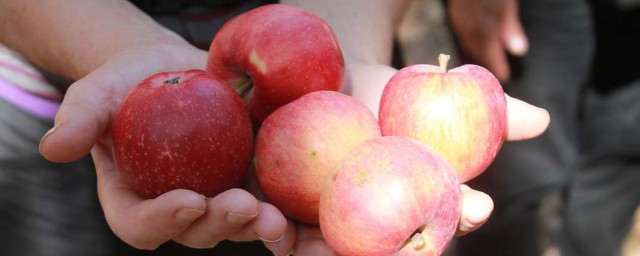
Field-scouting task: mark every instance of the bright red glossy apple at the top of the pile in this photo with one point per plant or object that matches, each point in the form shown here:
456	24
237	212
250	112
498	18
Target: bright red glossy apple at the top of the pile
274	54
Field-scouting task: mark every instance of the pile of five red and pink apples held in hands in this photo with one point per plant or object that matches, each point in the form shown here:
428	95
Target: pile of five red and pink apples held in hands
386	186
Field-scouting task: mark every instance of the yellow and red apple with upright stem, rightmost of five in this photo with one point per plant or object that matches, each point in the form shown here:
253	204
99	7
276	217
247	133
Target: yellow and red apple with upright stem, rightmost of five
461	113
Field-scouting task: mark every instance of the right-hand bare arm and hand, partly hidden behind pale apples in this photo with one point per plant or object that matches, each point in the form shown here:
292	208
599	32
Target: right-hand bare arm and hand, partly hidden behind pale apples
365	37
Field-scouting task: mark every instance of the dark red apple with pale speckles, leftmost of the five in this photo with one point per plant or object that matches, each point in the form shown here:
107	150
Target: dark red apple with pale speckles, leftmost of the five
194	133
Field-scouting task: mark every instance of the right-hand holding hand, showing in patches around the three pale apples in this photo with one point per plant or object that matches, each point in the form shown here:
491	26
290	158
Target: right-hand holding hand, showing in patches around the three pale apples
366	83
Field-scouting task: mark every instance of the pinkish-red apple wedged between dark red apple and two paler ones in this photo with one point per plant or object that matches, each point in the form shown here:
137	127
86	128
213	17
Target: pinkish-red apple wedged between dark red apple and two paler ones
299	145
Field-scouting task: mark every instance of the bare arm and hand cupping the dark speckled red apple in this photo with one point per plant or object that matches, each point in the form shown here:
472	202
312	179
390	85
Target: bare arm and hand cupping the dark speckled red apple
105	69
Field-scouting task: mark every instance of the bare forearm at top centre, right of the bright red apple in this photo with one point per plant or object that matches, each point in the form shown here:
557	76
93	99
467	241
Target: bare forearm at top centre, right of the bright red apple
365	29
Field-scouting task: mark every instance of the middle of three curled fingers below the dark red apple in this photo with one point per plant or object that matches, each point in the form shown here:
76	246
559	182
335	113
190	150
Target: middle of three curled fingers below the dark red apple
227	214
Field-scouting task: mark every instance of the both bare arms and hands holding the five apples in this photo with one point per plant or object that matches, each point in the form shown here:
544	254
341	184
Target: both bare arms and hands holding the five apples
103	58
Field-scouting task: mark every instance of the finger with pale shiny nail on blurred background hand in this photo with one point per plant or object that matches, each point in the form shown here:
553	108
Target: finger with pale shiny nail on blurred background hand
513	33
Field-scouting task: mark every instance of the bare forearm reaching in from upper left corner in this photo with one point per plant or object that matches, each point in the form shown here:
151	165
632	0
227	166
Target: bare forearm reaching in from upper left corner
73	37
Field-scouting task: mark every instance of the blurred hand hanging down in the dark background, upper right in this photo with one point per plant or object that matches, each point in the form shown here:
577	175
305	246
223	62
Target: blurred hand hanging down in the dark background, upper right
487	30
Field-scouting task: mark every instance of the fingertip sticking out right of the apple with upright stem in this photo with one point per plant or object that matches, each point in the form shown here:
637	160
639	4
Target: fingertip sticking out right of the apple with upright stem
525	121
